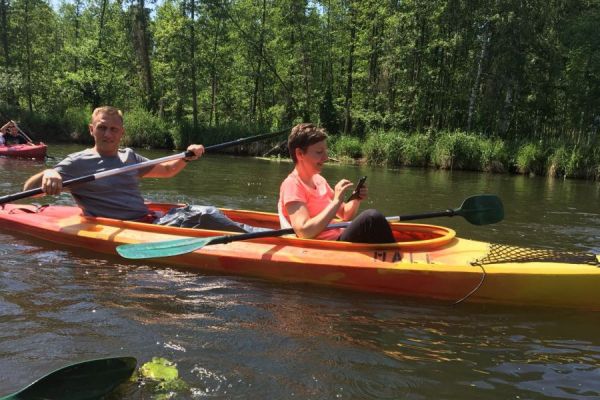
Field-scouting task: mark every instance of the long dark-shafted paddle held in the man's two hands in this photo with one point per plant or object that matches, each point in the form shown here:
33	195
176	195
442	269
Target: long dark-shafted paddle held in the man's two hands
116	171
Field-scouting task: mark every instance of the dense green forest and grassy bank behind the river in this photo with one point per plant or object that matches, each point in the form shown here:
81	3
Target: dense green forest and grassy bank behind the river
503	86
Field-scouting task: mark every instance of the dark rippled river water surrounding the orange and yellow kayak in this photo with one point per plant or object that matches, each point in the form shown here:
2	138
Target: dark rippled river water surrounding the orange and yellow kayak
238	337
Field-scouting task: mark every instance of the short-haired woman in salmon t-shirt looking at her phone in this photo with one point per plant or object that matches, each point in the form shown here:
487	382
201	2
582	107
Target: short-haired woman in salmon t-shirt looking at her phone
308	204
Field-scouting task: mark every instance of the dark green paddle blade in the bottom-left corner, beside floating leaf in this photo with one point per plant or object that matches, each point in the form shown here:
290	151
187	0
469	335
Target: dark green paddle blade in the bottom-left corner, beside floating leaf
86	380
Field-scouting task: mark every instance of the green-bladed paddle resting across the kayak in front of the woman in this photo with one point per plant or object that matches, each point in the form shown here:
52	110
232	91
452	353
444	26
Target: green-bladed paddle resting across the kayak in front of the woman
479	210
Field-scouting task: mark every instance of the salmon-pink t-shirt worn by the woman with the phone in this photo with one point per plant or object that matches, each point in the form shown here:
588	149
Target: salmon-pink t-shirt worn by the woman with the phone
316	199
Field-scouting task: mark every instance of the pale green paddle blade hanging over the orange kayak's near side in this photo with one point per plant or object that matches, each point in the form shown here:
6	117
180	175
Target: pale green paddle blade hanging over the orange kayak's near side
167	248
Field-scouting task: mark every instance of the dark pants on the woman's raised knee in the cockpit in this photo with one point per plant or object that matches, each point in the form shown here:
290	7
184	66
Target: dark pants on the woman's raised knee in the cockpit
370	226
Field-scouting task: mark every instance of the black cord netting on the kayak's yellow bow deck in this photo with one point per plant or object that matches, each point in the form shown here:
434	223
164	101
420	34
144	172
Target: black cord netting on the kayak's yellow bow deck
500	253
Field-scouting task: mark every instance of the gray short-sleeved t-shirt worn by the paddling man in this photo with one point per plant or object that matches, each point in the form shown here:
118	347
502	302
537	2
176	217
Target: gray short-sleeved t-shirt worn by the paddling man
117	196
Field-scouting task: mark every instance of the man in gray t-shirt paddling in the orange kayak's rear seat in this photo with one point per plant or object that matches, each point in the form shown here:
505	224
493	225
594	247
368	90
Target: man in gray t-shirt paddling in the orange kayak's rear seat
118	196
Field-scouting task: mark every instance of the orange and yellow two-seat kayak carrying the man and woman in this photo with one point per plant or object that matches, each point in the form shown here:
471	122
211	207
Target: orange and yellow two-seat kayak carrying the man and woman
427	261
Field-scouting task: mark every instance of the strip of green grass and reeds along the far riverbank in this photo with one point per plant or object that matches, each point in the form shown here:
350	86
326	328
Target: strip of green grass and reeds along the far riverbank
446	150
